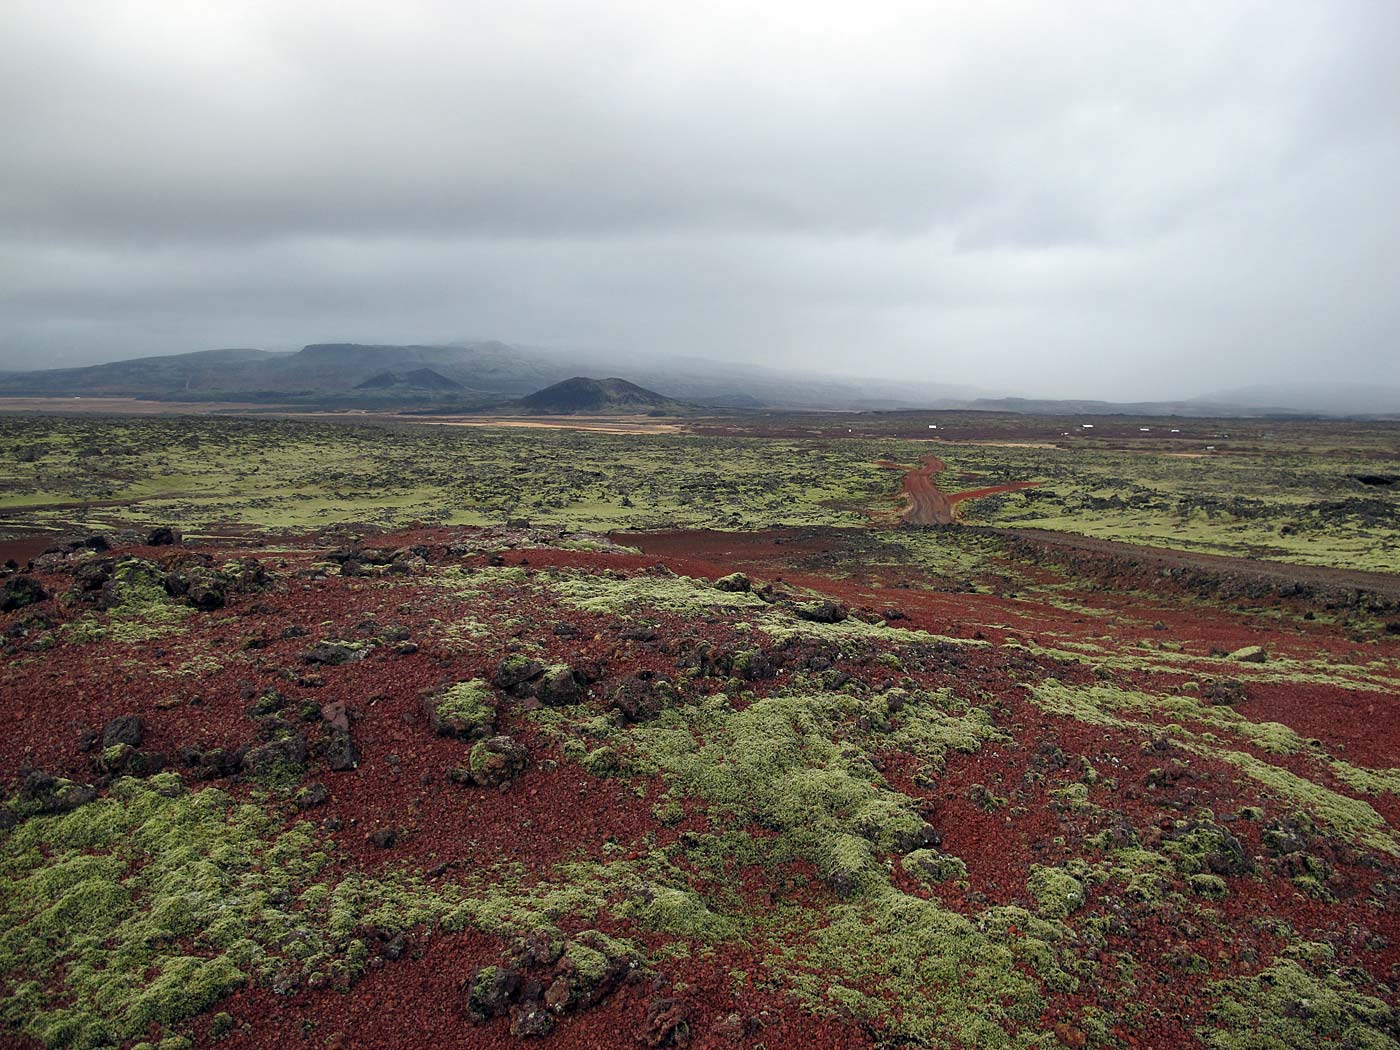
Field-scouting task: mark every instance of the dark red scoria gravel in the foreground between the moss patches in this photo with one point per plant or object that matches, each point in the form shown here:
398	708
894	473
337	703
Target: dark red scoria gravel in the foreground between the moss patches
1002	810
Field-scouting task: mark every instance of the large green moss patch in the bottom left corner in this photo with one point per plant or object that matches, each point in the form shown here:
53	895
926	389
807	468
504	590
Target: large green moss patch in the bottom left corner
150	905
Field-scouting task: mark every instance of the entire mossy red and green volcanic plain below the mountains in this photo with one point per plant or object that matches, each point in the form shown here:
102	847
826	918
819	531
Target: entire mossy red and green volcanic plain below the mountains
388	734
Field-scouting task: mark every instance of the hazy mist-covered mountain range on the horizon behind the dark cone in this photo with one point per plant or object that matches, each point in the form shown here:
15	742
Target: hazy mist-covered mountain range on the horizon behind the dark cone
491	373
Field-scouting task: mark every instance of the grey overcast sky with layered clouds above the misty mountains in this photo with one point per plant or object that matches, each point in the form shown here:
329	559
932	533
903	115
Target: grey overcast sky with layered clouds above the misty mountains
1091	199
